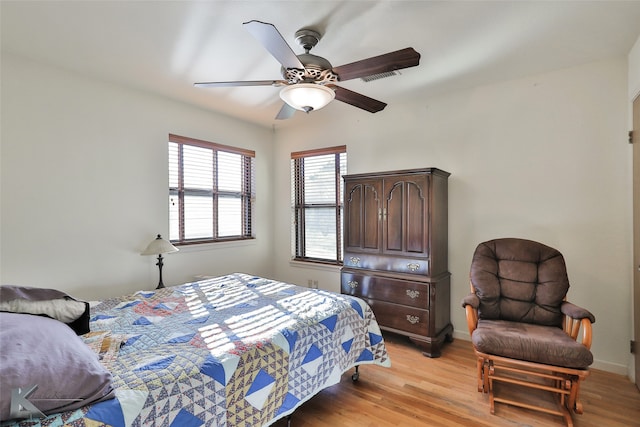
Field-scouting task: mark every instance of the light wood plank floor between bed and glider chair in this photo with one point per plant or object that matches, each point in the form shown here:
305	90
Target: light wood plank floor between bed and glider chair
419	391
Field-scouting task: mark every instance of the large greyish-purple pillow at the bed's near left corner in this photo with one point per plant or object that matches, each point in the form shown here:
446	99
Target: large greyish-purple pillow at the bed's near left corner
36	350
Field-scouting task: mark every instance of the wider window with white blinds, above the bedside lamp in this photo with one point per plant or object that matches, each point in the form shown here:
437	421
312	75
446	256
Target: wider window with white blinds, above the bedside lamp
211	191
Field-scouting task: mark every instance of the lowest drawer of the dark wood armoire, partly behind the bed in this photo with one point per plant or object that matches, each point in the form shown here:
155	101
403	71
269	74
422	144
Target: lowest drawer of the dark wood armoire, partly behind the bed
400	317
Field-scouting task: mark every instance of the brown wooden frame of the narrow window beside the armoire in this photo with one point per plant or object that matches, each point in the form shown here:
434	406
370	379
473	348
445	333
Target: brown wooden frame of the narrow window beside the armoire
299	243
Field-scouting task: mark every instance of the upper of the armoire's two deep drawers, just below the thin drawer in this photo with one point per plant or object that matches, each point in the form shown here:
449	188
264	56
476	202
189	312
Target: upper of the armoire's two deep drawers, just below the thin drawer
414	294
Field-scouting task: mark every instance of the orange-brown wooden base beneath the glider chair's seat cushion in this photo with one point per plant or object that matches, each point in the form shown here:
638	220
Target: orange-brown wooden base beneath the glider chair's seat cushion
562	383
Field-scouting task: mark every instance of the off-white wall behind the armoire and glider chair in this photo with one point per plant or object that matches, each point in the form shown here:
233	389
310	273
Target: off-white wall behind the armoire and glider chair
543	157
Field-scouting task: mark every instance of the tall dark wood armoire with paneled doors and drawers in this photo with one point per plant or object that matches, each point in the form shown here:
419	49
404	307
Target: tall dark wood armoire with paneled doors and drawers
395	252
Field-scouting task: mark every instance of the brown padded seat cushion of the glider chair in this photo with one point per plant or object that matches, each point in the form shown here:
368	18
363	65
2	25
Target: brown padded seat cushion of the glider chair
534	343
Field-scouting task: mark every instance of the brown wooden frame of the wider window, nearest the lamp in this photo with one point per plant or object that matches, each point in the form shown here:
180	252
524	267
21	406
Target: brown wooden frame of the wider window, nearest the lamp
246	194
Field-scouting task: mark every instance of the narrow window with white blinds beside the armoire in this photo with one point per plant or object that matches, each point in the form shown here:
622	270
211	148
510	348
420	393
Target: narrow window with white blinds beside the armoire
316	201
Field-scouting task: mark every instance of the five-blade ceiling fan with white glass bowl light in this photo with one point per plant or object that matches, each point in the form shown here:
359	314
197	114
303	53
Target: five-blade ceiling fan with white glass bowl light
309	80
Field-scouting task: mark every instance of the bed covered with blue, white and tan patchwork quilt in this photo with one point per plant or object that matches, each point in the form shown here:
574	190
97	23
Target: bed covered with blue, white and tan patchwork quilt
235	350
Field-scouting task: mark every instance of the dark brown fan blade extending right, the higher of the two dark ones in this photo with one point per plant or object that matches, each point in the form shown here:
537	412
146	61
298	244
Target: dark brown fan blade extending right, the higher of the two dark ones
403	58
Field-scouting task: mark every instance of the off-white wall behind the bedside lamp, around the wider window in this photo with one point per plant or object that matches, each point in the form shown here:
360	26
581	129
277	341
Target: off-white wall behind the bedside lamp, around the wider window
84	184
